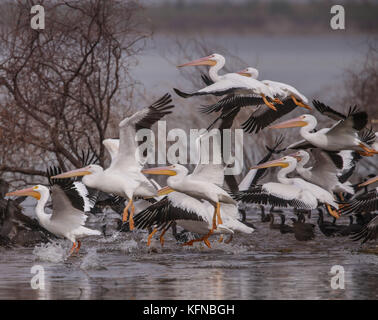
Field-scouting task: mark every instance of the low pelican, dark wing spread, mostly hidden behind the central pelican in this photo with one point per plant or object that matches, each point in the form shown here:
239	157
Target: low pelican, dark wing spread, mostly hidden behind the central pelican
192	215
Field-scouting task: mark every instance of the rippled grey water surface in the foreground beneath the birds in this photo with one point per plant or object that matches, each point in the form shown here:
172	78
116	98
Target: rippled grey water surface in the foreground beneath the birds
264	265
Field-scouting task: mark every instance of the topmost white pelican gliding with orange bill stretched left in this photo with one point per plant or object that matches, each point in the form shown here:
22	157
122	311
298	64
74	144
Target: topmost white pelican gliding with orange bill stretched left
228	83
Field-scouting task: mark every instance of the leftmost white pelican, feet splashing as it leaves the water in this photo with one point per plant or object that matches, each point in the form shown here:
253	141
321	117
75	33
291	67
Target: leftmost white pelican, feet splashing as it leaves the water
67	218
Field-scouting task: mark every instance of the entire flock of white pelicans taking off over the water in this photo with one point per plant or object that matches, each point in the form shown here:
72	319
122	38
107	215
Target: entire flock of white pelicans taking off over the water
313	174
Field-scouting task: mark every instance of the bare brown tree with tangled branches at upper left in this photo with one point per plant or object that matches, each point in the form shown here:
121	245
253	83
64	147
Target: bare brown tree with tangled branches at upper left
64	87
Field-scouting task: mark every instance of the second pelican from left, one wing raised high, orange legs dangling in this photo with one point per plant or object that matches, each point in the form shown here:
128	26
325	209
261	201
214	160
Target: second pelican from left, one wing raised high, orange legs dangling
124	177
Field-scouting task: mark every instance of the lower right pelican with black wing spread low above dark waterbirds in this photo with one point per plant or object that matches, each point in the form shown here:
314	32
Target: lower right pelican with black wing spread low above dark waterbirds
289	192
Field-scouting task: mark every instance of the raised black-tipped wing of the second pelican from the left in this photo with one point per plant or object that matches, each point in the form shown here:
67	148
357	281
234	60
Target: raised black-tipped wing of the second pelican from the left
128	155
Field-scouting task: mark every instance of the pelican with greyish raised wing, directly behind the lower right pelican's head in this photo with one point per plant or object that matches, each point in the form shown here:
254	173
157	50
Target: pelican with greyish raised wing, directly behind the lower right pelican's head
324	172
